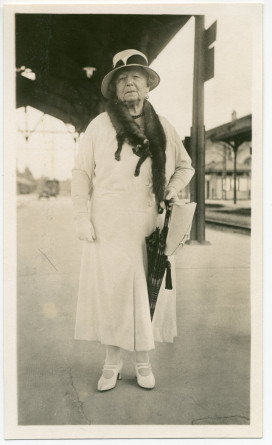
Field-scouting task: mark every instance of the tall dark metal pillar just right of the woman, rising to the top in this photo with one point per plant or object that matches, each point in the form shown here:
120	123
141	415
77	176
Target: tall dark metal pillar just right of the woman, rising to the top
198	135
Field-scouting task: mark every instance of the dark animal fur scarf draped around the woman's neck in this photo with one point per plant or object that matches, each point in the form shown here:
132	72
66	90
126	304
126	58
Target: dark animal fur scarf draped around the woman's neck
151	142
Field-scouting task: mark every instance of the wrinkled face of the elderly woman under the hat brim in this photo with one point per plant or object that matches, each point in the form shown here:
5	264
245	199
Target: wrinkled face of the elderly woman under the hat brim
131	86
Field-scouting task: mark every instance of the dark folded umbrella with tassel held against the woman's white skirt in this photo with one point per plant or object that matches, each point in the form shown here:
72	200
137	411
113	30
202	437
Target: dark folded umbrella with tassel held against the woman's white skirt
157	262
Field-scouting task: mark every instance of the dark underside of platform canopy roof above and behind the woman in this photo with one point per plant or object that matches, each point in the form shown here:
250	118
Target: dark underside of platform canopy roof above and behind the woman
57	48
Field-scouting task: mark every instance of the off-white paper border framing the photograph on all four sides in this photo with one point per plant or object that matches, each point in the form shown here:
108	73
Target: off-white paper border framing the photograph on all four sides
12	430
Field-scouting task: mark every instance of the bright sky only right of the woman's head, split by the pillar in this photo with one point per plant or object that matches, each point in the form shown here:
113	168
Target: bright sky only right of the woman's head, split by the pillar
229	90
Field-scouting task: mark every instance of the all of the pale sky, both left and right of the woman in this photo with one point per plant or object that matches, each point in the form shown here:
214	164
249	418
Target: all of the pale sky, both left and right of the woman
50	150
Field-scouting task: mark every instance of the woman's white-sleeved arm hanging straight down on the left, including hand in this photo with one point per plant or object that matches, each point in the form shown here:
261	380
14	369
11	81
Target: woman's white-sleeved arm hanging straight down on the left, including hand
81	186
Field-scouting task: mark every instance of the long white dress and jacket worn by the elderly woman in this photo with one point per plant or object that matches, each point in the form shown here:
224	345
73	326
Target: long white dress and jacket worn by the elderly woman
113	303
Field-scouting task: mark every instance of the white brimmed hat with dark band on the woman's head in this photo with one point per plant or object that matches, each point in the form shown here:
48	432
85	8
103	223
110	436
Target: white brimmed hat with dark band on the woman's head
123	59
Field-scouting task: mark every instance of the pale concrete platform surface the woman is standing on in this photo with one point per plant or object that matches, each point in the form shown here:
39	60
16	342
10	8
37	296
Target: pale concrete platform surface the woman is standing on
202	378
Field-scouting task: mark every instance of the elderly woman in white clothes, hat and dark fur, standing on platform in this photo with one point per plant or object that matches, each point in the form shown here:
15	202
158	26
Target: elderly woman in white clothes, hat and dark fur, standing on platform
129	161
